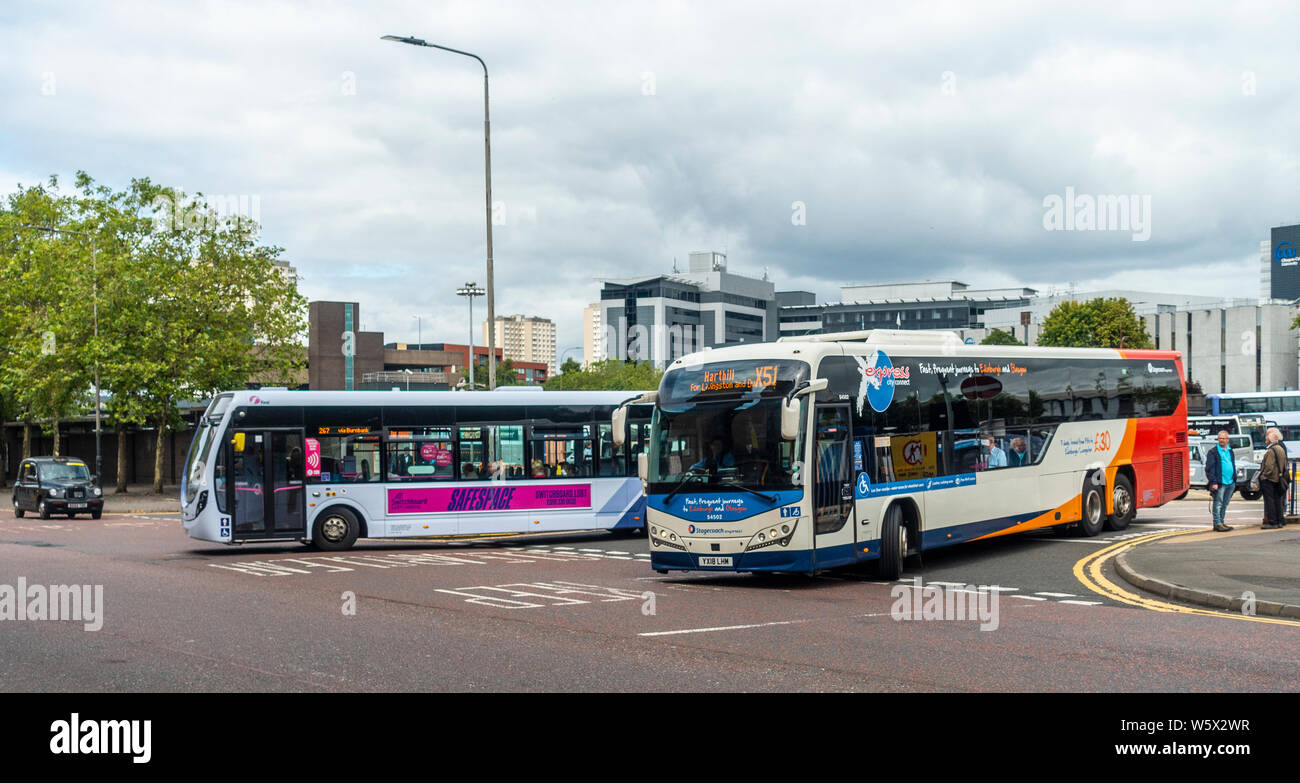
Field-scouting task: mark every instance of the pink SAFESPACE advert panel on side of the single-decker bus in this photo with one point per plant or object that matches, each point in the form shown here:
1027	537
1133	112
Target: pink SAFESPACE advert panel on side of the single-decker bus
499	498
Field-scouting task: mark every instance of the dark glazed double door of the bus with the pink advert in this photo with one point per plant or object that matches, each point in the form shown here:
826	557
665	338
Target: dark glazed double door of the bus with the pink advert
267	487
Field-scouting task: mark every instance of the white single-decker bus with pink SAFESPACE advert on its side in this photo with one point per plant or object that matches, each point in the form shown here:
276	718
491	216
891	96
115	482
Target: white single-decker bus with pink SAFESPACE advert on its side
332	468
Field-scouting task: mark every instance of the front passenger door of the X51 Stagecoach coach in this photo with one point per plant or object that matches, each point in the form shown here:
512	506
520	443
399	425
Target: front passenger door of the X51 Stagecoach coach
833	488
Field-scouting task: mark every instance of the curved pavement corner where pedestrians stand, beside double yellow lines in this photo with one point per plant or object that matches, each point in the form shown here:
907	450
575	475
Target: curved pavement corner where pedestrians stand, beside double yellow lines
1219	570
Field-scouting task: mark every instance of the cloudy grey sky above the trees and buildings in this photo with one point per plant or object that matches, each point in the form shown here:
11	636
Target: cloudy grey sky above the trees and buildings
922	140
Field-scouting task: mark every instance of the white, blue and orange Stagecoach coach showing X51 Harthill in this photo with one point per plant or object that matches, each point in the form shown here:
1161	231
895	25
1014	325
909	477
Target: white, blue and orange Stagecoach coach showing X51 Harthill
830	451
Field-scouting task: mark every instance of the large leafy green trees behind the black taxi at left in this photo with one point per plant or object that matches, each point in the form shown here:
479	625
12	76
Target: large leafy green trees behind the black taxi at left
188	305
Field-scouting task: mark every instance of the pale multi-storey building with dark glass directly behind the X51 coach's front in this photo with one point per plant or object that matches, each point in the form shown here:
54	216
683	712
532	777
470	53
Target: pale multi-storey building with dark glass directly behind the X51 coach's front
664	317
